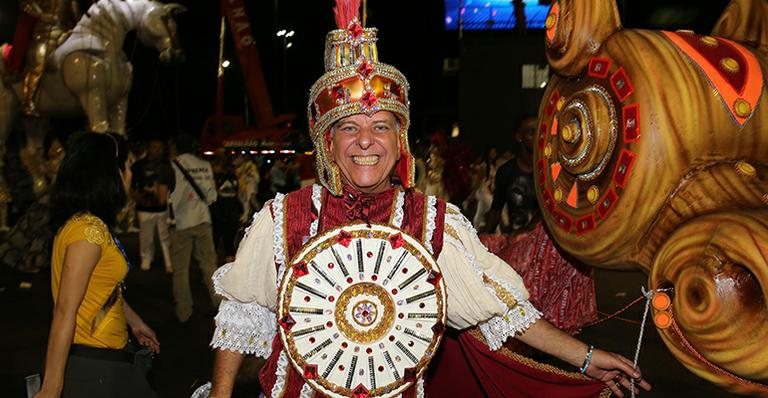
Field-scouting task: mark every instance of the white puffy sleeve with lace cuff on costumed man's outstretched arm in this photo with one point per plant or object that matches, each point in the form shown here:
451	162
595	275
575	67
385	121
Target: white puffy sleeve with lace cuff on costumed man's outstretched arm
482	289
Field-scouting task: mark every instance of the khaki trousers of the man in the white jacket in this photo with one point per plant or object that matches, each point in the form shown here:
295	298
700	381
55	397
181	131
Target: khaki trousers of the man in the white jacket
195	241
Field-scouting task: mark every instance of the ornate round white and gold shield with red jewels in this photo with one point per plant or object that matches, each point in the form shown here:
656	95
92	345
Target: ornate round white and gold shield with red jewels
361	311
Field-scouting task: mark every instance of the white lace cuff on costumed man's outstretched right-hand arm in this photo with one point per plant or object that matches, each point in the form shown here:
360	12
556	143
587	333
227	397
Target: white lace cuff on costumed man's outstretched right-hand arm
514	321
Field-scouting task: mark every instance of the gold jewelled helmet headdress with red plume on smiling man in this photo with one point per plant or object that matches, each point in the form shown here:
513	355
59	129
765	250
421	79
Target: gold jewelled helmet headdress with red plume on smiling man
355	82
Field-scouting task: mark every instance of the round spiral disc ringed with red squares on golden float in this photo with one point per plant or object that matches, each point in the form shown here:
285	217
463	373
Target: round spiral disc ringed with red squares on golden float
583	163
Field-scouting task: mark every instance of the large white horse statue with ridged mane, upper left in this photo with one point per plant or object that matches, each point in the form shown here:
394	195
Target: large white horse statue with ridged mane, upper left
89	71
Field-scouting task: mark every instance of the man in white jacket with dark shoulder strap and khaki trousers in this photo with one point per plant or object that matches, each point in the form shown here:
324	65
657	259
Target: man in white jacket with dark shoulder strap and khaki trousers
194	190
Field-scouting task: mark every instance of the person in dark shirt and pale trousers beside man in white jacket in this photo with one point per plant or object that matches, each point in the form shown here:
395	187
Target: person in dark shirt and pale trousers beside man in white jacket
151	185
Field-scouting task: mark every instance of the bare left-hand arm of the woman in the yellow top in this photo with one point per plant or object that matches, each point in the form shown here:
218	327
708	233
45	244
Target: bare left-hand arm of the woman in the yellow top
79	261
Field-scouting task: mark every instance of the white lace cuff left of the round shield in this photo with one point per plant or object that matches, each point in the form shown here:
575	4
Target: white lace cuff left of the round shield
244	328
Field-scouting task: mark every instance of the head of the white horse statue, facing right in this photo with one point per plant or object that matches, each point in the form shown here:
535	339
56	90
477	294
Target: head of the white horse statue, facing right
158	29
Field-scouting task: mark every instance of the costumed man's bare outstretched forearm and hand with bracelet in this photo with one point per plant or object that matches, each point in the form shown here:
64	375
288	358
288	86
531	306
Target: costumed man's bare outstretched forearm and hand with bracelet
613	369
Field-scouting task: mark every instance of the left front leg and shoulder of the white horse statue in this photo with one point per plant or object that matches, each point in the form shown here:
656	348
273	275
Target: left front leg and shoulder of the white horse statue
86	76
